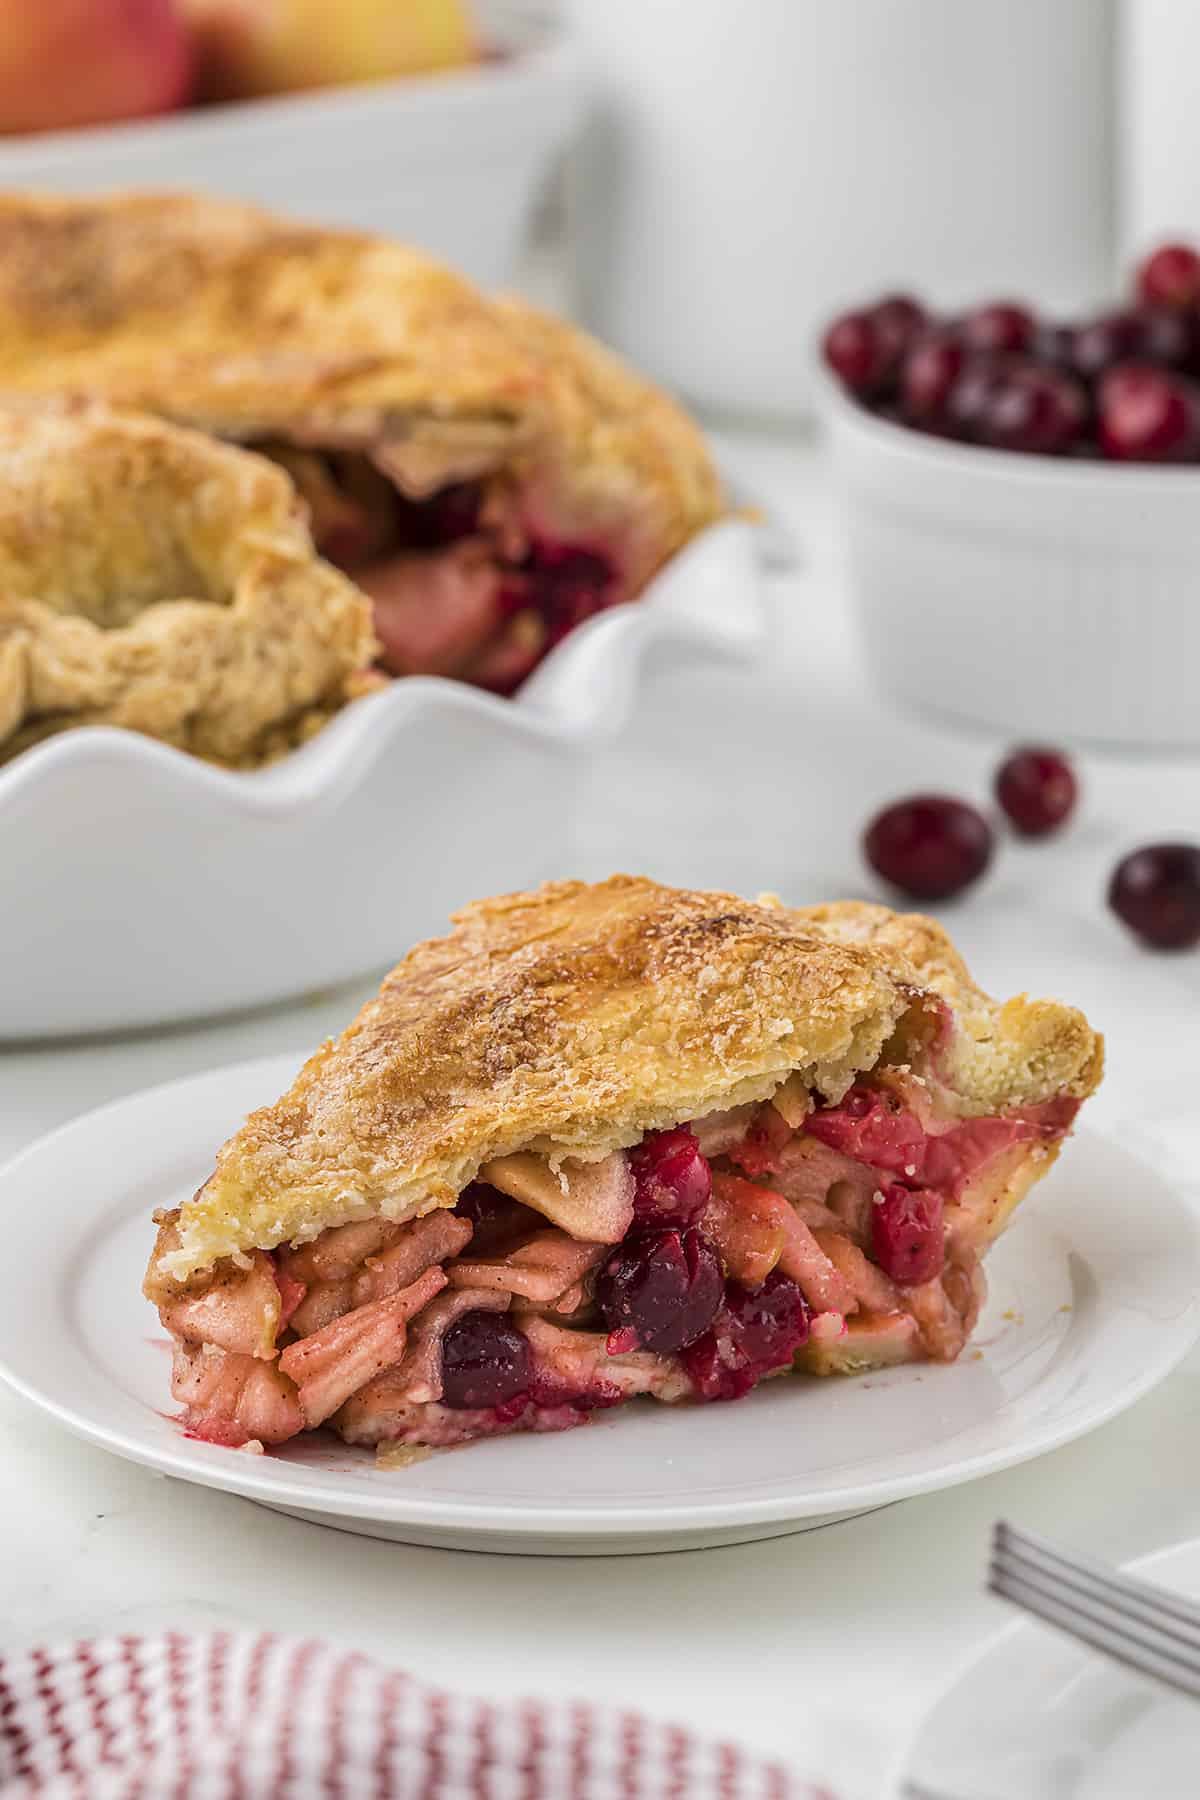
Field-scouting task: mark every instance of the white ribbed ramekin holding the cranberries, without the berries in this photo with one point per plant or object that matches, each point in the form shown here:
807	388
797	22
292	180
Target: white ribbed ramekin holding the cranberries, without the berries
1037	597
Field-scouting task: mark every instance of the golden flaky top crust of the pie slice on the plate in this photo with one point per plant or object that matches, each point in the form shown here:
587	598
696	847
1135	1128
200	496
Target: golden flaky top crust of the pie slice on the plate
578	1018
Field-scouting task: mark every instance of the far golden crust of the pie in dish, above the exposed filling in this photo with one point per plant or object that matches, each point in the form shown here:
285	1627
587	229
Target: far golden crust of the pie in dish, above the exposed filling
258	328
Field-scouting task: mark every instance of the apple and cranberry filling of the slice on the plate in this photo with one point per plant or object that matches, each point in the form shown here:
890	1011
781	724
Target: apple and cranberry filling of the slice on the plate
692	1268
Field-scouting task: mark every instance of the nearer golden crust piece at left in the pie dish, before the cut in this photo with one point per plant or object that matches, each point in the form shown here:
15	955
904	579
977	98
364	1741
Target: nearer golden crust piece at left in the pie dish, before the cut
157	580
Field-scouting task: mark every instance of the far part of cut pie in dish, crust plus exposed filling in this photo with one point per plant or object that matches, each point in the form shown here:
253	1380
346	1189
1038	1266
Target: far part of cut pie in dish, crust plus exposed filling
492	478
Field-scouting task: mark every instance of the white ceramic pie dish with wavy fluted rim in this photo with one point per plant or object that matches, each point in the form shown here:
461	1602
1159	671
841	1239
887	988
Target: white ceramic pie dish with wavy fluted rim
145	886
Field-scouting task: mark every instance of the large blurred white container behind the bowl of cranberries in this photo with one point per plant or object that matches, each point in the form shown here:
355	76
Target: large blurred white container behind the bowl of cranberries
753	165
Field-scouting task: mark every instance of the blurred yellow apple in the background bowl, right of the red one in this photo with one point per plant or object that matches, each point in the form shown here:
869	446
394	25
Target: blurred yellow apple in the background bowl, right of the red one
251	48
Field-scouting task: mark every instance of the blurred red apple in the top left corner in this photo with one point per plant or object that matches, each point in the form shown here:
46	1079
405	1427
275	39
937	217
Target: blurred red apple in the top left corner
87	62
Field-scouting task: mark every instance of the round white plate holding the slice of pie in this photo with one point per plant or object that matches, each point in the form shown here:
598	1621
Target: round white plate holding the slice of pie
1084	1318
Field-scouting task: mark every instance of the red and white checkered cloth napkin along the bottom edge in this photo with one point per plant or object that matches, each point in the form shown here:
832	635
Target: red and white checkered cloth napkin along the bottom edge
233	1716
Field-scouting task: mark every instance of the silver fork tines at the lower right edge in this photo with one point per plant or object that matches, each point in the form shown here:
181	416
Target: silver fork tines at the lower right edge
1097	1615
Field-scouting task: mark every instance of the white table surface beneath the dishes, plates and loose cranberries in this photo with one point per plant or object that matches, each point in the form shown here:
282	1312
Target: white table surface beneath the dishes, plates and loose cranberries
825	1648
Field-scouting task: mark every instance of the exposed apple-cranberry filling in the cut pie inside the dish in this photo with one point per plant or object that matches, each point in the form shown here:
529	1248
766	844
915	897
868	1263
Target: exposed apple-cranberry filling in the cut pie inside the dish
465	582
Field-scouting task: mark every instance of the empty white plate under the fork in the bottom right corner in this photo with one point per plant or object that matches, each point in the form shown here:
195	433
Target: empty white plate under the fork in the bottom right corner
1041	1718
